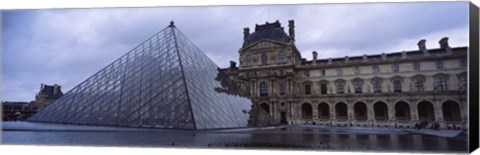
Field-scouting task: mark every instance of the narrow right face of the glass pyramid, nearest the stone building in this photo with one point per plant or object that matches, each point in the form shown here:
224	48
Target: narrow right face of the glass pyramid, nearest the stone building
215	99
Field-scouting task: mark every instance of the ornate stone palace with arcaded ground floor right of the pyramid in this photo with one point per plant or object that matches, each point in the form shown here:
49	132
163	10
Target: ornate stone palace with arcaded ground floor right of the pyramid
382	90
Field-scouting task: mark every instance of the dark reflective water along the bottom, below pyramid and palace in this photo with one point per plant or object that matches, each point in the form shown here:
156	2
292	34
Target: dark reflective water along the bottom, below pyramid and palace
276	138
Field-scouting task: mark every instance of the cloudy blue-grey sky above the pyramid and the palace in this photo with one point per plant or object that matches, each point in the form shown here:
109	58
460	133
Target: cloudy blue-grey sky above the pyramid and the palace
66	46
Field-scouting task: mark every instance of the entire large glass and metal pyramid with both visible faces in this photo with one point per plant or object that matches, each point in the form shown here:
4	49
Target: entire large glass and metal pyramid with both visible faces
165	82
